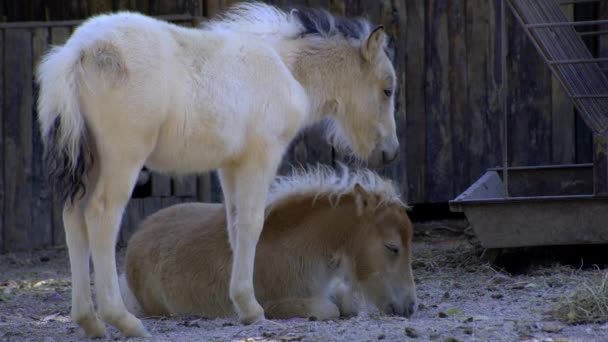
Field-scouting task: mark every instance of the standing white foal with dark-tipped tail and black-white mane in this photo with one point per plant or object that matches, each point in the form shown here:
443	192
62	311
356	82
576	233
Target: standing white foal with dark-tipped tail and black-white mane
127	91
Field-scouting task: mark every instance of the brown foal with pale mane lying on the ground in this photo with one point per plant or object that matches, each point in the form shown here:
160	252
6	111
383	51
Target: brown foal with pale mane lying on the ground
328	239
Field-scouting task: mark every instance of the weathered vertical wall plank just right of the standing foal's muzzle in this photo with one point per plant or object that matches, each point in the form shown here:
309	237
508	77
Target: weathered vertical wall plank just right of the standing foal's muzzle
415	103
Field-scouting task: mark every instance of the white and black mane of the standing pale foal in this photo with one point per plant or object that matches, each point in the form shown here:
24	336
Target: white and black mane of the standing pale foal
271	22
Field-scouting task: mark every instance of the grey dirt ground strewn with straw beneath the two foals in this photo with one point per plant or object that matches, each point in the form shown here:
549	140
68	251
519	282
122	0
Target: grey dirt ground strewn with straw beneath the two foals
462	298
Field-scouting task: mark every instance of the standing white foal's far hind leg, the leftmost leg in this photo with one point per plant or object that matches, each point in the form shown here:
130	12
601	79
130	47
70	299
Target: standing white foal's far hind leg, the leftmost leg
83	312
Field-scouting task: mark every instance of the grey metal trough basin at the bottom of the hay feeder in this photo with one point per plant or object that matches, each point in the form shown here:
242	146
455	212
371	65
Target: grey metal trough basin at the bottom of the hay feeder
547	205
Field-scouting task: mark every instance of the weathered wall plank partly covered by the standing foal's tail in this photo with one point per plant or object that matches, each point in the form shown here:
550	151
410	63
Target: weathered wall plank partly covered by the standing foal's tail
42	203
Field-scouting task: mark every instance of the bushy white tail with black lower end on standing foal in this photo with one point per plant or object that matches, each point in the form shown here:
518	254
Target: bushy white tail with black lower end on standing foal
67	153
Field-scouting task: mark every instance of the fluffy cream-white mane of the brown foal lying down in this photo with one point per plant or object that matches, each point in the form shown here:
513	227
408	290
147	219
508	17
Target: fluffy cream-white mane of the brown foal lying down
323	181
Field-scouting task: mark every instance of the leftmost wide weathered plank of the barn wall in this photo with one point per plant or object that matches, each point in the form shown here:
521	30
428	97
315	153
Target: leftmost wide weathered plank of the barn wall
17	116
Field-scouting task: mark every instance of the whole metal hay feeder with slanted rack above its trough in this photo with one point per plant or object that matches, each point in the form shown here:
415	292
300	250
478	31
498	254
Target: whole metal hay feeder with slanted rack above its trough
548	205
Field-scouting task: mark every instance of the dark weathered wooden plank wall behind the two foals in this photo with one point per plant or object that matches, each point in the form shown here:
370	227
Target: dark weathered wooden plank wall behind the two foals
449	120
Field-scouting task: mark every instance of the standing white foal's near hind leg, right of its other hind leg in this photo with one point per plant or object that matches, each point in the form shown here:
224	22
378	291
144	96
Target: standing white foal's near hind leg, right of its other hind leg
103	214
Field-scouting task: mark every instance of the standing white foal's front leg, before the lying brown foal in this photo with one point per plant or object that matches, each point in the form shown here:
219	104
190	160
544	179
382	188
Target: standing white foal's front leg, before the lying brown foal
251	183
